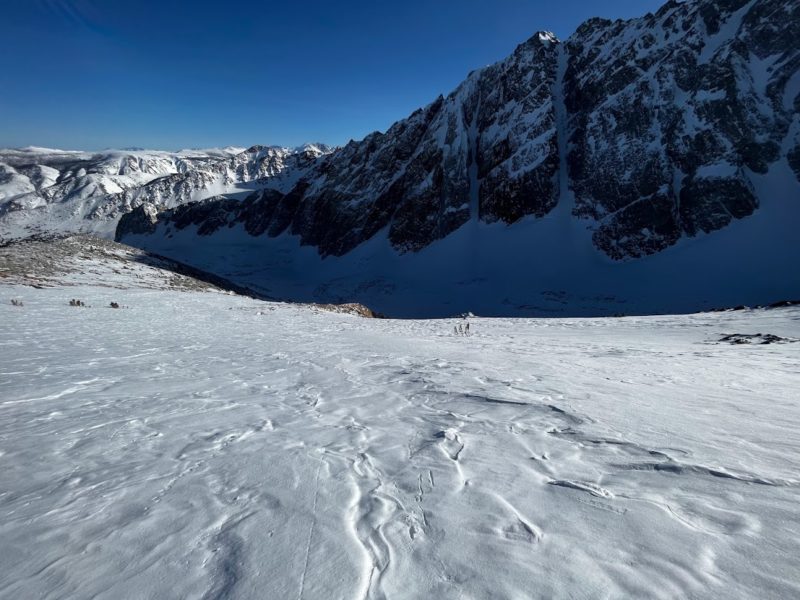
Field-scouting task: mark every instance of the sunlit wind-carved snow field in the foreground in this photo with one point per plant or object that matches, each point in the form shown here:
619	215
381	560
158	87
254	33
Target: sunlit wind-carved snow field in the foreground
203	445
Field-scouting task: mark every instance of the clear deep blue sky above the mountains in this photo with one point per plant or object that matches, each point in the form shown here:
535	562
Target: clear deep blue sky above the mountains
92	74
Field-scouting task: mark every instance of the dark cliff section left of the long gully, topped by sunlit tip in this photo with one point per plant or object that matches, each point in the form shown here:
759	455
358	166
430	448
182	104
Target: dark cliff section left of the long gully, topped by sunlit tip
487	150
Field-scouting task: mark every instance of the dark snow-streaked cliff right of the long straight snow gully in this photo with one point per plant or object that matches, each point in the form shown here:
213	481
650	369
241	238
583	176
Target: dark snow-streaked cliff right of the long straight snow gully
673	113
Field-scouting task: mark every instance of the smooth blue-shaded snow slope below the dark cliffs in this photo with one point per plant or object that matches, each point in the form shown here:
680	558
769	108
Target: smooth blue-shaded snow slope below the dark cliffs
537	267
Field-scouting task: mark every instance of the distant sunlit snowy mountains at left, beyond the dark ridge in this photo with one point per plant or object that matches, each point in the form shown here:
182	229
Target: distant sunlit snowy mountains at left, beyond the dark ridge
45	191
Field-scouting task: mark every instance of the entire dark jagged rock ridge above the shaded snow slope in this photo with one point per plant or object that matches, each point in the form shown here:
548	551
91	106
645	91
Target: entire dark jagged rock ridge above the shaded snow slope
648	130
